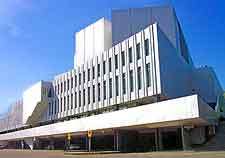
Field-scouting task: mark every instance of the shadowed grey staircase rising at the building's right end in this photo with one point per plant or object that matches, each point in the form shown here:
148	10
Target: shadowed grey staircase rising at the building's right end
217	142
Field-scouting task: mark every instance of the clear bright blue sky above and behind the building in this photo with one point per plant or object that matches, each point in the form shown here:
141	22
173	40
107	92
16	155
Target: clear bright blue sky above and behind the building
37	36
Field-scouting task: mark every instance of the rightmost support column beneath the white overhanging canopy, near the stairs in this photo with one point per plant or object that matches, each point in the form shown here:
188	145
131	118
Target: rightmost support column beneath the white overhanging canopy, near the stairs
186	138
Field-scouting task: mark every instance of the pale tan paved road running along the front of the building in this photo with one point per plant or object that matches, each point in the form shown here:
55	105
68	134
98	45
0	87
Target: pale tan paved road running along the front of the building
60	154
